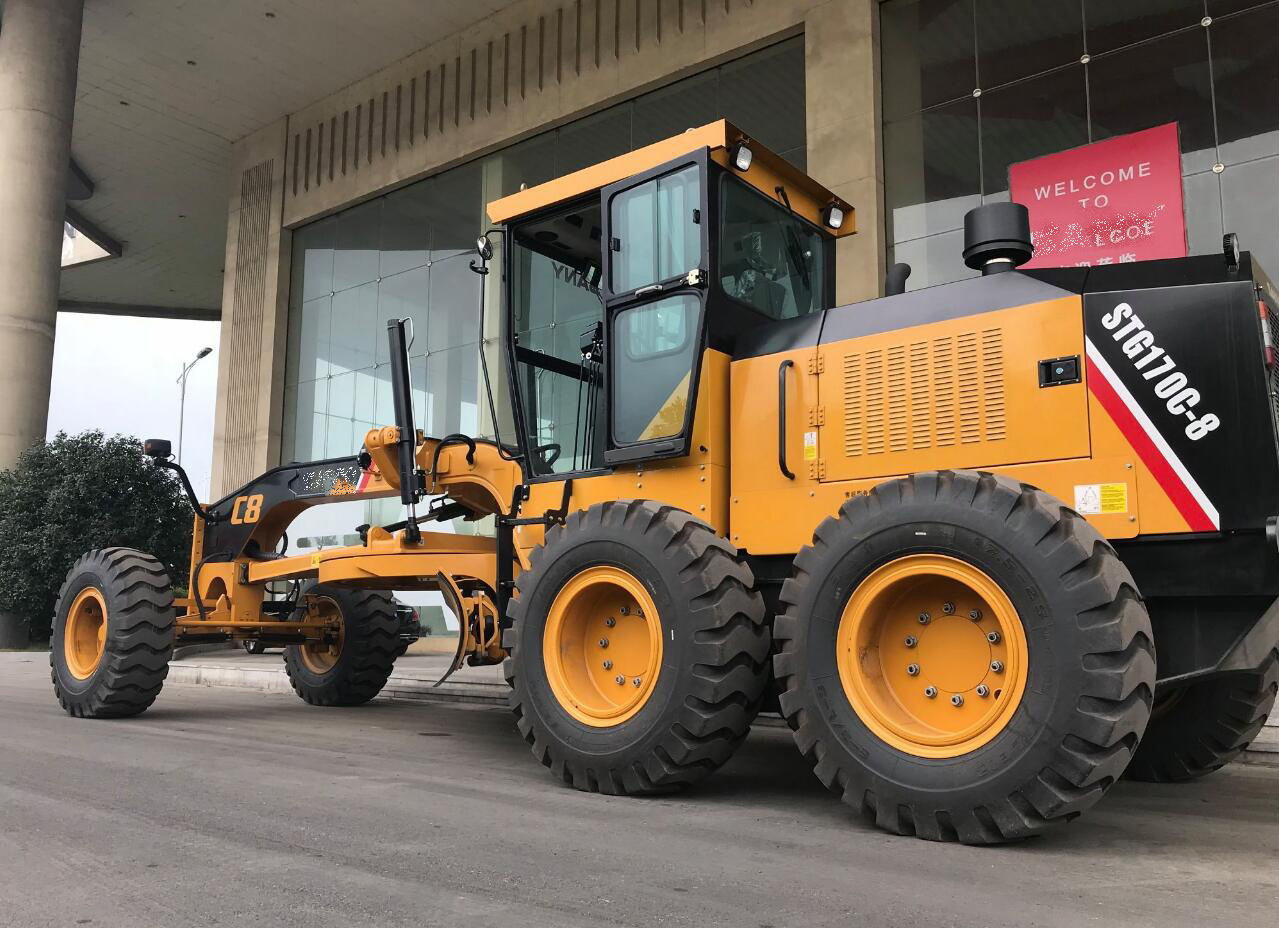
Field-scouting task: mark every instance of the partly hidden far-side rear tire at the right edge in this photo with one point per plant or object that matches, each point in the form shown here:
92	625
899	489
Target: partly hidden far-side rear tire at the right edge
1207	725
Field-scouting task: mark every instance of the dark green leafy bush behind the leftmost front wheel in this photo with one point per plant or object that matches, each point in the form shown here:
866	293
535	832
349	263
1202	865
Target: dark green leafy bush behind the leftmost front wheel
76	494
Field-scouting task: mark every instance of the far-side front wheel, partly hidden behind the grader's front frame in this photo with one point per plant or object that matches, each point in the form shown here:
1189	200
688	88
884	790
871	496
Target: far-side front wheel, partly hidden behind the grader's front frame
357	673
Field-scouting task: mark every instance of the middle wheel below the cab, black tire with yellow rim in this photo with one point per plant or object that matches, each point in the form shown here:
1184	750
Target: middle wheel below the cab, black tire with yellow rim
708	651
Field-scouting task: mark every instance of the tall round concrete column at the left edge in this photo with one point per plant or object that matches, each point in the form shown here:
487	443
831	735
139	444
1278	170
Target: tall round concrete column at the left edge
39	58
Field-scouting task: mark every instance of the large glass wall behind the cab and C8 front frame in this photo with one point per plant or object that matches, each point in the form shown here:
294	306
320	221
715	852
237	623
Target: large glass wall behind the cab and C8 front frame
409	252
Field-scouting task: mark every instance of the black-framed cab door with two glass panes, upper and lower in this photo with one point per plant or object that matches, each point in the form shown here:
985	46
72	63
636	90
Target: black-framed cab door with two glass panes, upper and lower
657	255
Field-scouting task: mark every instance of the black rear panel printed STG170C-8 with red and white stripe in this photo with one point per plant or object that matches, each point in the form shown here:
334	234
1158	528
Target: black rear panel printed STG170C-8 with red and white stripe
1182	370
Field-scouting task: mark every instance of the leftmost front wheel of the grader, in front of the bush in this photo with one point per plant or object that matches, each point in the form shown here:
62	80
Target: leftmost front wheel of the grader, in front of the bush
122	600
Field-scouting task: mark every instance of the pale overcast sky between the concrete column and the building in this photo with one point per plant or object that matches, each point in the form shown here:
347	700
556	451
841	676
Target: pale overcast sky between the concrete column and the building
120	374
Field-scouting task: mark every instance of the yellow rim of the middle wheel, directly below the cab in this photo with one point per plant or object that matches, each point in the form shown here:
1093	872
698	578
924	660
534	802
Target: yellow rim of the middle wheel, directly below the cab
603	646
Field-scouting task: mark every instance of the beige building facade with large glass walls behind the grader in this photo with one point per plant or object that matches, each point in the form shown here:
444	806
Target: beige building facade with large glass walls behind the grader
365	205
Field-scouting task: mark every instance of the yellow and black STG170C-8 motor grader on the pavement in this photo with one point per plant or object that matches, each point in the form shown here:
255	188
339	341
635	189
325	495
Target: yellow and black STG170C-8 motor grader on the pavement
945	532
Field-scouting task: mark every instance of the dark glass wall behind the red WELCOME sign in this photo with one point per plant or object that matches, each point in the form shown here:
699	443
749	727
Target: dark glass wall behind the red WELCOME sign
975	86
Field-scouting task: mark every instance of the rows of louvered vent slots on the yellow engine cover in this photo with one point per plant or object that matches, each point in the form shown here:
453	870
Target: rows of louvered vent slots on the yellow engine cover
925	394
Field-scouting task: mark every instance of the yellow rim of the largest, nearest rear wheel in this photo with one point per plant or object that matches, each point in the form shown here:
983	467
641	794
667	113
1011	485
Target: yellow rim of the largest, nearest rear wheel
933	656
